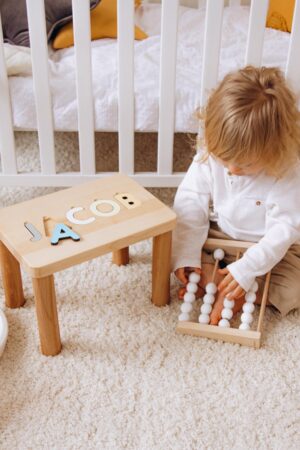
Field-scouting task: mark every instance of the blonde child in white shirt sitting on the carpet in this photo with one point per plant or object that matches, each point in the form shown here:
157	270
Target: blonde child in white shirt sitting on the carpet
244	184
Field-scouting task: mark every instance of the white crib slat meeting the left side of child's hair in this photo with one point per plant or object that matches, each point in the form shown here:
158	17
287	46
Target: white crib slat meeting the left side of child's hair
211	53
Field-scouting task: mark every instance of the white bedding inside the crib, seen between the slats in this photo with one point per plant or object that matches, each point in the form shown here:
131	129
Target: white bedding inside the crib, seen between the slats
147	54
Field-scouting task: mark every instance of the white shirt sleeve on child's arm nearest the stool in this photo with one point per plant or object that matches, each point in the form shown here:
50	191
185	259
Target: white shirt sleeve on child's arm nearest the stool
191	205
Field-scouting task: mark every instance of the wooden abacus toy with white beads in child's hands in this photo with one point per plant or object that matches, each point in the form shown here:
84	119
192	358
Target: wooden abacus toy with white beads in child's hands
223	331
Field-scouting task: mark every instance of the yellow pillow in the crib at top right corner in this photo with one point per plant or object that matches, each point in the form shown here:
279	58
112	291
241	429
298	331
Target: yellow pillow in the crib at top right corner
280	14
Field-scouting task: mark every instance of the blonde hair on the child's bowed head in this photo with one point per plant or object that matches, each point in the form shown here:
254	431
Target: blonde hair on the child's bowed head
252	117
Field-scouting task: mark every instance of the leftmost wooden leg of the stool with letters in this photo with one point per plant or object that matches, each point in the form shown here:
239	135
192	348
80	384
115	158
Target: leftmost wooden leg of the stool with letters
12	280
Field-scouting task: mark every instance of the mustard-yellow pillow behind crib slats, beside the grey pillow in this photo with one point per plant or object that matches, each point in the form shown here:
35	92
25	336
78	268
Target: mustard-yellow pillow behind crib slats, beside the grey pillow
103	25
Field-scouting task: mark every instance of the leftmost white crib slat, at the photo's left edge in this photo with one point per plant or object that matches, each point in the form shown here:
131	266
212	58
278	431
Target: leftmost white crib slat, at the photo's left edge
7	142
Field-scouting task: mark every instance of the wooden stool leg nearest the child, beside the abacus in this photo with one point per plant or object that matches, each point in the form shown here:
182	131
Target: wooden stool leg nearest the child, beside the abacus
161	262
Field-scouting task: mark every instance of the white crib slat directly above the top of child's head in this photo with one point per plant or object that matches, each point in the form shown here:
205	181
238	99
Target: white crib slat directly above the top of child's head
256	30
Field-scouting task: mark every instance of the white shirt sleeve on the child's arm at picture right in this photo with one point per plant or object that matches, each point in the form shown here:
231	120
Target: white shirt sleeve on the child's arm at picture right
282	230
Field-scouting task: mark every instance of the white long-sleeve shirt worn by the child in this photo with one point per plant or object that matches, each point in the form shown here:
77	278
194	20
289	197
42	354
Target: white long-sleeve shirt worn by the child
257	208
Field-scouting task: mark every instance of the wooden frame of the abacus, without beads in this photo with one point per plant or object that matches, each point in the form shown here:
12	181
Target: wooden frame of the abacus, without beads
250	338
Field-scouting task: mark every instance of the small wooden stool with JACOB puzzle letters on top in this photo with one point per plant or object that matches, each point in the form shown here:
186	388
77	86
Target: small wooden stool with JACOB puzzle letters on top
108	215
